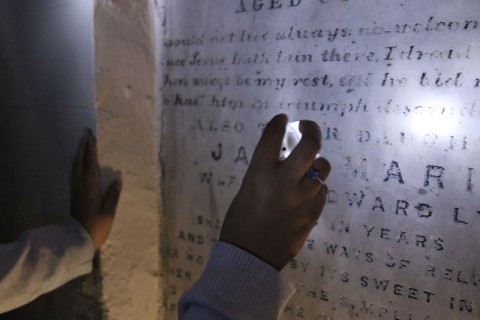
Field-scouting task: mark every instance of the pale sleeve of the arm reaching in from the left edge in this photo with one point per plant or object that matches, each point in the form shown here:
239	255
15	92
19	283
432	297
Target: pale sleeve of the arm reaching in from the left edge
42	260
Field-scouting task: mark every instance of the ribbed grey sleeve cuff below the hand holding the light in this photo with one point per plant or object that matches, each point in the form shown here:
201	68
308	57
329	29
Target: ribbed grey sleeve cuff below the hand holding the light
236	285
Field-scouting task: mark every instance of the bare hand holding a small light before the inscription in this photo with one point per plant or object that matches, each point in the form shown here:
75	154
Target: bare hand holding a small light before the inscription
278	204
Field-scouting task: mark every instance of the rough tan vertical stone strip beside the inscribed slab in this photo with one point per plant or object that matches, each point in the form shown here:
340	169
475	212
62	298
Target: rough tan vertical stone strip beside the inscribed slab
129	141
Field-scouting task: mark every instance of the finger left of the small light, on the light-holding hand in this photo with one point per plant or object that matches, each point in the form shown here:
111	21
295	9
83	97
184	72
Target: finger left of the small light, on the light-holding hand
267	152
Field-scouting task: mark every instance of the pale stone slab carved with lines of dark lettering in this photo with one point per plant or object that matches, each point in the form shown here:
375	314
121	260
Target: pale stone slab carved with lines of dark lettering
395	89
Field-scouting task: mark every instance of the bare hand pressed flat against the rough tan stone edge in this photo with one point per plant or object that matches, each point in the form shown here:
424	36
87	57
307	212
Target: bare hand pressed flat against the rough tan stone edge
94	212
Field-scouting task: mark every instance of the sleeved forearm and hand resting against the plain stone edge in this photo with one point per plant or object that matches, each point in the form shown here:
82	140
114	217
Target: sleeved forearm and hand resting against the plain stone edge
45	258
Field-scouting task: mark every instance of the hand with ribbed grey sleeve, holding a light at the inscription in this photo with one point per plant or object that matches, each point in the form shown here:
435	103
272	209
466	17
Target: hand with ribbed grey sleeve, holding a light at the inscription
266	225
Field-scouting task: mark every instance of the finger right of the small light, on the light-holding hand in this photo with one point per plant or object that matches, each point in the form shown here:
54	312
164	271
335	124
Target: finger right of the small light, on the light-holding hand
301	158
